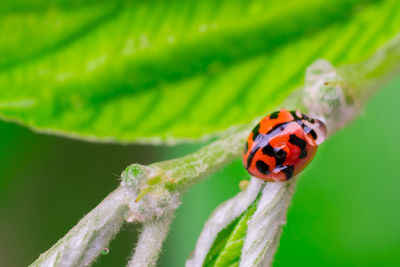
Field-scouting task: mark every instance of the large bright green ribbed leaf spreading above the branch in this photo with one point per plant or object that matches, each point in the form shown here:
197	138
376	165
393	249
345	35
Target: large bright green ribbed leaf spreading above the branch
156	70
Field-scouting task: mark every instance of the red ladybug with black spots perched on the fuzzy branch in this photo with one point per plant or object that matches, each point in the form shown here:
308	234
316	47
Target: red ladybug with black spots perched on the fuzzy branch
282	144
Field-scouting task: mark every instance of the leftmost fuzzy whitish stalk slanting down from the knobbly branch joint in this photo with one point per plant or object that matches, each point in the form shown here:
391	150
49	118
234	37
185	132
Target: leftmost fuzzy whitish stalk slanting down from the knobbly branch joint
83	243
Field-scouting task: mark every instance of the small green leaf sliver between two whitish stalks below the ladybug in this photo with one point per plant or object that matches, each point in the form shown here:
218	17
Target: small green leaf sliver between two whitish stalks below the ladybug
226	249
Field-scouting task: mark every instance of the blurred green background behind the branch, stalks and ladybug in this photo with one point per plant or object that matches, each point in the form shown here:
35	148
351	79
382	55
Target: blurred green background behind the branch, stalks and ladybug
345	211
